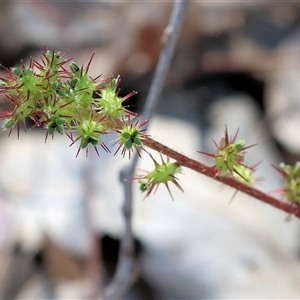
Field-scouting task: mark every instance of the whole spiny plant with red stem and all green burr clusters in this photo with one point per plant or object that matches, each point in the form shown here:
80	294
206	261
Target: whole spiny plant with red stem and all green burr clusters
59	96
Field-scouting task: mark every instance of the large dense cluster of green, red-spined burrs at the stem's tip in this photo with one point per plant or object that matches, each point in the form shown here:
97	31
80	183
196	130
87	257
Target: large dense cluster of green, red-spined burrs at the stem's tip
62	98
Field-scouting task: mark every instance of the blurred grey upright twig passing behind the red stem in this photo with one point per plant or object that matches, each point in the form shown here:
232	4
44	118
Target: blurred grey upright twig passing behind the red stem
127	272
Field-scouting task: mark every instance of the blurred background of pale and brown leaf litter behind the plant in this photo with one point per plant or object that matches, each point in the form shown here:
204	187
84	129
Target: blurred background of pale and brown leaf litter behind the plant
236	64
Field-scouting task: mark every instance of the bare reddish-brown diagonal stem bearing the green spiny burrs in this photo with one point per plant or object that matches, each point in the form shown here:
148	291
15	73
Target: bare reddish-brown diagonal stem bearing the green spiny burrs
199	167
